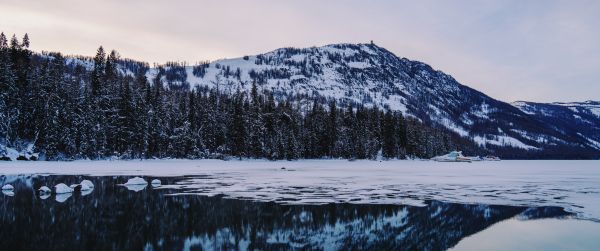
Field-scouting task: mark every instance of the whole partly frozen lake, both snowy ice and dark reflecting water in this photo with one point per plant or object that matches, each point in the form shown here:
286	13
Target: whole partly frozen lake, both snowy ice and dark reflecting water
313	204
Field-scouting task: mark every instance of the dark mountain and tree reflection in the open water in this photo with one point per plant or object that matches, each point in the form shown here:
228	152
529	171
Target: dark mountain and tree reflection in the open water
112	217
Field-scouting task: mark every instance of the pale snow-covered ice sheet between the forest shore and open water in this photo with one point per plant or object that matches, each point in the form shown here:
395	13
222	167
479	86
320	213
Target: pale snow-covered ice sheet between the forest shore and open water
574	185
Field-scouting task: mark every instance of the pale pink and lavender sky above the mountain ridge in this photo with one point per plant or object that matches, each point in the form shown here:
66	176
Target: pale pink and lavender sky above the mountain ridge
535	50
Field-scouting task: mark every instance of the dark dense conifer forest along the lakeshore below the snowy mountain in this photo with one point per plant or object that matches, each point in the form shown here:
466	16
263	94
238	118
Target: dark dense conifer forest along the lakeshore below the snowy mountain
68	111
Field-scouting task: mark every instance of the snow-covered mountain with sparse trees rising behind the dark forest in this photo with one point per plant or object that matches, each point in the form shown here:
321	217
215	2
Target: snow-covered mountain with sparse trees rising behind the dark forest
370	75
